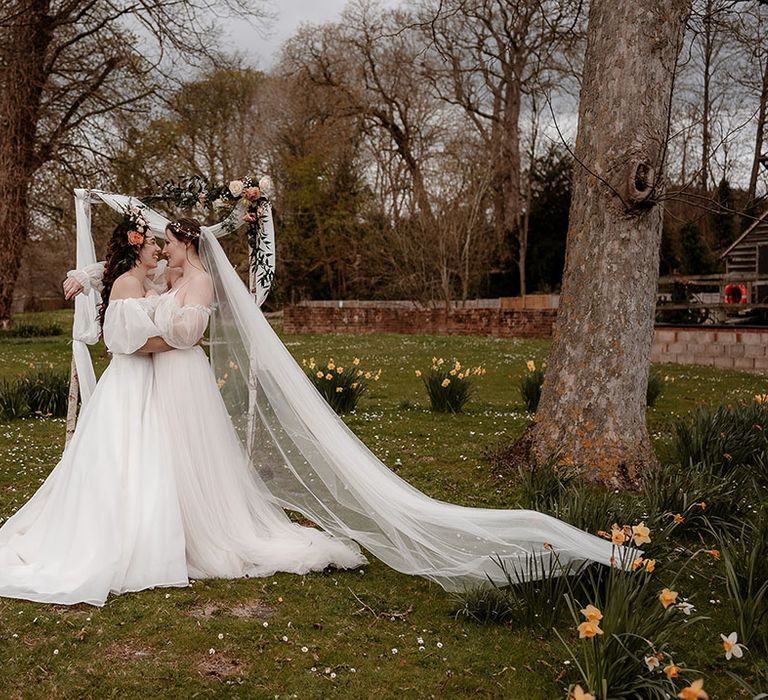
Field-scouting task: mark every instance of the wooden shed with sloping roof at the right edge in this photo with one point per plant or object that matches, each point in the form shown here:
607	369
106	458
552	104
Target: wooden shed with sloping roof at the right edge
746	260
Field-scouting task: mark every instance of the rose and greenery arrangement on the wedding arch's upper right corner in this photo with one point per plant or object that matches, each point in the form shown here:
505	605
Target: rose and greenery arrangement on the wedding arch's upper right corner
221	199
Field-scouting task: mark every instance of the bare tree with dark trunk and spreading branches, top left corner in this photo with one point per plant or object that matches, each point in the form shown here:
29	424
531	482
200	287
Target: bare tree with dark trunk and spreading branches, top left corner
66	66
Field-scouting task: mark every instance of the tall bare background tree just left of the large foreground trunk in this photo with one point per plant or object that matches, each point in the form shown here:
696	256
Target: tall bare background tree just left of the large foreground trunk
489	55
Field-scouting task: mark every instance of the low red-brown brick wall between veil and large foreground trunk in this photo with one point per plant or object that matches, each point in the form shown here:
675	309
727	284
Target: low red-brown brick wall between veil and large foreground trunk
504	323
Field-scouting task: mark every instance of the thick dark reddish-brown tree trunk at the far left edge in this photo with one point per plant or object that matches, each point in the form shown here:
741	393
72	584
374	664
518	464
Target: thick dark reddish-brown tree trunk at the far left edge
23	54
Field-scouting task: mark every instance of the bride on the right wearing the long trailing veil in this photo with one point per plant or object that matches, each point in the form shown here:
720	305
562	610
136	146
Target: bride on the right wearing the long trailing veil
300	451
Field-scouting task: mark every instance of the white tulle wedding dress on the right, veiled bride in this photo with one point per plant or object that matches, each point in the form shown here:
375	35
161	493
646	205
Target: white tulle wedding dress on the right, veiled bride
232	524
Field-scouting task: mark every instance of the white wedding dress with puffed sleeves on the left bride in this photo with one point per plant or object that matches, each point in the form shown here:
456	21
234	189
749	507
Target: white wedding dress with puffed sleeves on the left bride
107	518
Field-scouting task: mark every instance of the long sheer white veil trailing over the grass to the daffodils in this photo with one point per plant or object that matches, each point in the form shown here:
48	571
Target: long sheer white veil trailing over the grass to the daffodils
312	463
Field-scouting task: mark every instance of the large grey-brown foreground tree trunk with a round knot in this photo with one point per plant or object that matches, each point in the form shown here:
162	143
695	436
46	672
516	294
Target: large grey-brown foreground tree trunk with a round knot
592	410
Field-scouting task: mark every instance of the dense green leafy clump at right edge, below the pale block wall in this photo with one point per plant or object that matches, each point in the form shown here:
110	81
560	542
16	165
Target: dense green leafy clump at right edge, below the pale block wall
724	437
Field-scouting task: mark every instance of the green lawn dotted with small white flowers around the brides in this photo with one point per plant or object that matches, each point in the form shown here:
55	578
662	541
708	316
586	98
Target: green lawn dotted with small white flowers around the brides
156	643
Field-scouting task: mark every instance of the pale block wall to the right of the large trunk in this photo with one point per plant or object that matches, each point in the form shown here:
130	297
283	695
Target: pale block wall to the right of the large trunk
730	348
